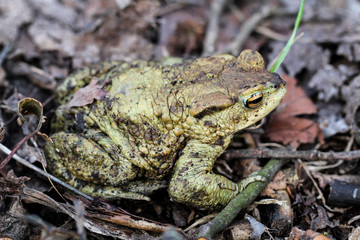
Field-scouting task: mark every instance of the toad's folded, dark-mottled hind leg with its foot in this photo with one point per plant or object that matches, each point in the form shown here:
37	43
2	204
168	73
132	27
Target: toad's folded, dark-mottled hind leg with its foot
96	168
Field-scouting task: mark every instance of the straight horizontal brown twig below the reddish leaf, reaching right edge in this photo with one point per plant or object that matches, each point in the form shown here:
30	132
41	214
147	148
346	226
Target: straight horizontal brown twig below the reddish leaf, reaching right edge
305	155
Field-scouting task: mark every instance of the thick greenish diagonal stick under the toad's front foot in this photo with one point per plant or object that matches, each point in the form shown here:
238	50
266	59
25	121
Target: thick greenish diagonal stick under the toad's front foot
244	199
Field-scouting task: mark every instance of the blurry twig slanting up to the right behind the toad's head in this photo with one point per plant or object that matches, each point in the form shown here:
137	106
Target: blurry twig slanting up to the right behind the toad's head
247	28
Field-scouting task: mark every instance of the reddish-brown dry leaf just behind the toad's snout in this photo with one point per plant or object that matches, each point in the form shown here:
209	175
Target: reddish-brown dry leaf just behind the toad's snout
286	126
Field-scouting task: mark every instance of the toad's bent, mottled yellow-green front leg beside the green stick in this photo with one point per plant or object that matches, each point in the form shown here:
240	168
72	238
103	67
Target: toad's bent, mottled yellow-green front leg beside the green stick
193	181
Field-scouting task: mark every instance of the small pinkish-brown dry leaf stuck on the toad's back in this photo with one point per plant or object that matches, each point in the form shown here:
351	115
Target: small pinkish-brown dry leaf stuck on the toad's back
86	95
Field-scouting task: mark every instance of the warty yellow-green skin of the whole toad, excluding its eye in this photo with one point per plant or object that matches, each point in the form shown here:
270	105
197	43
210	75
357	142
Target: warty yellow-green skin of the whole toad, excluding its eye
159	122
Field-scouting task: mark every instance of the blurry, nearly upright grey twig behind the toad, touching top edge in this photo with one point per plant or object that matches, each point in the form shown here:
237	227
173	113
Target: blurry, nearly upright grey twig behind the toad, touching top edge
212	30
